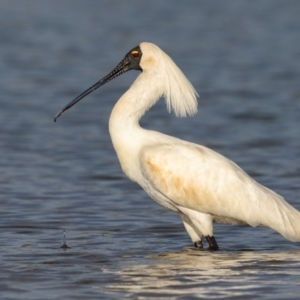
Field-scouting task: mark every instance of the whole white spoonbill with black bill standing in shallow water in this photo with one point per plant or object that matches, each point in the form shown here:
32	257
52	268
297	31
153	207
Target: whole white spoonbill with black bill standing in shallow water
199	184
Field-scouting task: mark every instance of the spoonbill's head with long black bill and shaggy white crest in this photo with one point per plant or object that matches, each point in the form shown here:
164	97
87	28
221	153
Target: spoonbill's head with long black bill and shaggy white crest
178	91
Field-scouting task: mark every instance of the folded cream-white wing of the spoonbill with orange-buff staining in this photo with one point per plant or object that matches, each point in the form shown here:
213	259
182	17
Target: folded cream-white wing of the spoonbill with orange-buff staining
200	179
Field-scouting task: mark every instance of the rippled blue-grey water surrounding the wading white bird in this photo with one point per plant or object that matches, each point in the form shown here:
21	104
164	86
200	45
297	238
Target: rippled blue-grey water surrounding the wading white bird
243	58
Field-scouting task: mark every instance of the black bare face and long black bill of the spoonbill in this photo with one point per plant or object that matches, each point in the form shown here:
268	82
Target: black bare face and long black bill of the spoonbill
130	62
